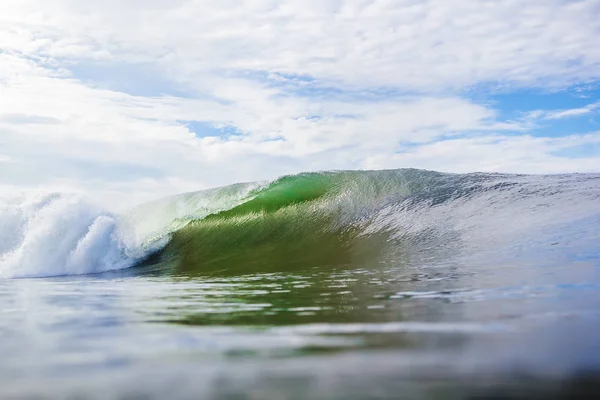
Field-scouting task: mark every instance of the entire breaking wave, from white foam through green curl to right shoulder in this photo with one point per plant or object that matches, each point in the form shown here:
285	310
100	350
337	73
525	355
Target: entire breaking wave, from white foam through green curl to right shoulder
311	220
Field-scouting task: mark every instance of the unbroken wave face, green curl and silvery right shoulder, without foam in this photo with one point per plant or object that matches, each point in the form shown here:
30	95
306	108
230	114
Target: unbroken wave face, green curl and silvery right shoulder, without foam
367	218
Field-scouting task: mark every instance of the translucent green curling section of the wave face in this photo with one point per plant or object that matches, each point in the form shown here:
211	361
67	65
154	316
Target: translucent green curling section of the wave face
310	220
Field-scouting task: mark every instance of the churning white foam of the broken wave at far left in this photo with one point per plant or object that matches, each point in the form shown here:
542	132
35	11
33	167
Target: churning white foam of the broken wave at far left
58	234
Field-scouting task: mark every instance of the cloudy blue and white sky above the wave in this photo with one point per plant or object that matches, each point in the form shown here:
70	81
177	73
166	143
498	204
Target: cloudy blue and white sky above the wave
131	100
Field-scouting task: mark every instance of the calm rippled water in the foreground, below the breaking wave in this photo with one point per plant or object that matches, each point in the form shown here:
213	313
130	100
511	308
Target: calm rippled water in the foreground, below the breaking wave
347	333
